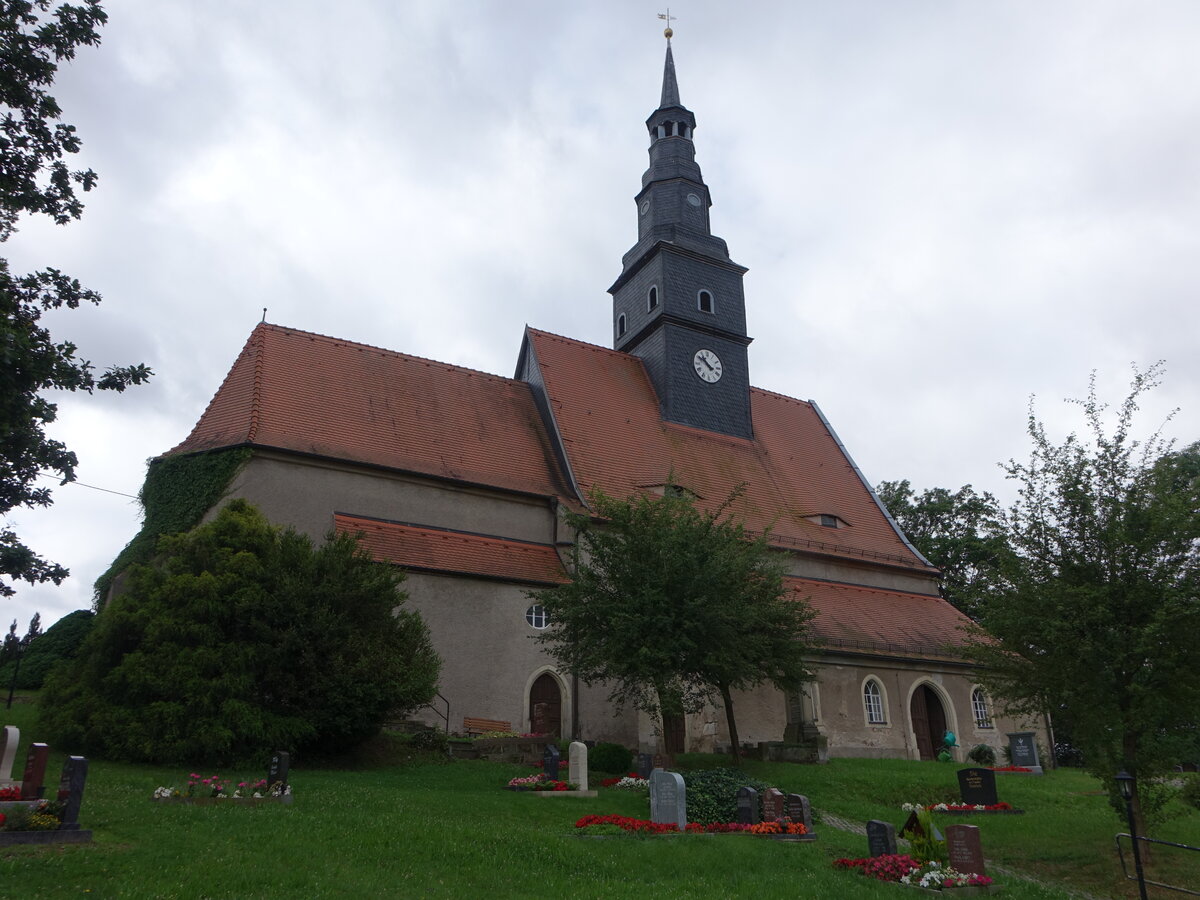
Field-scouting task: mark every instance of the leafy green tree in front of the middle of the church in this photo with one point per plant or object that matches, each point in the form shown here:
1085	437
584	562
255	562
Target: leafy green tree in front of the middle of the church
670	604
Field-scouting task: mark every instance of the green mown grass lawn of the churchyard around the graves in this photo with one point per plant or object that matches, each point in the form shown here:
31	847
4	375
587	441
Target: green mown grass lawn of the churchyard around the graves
445	830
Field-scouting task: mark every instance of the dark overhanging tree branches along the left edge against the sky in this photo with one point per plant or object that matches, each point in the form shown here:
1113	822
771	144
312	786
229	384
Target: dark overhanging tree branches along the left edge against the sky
35	179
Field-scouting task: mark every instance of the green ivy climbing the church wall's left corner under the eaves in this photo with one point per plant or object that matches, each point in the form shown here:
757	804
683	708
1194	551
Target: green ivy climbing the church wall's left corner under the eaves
177	494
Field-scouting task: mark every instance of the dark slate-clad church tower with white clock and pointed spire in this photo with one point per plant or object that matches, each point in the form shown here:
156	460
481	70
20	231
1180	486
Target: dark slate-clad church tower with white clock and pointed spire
679	303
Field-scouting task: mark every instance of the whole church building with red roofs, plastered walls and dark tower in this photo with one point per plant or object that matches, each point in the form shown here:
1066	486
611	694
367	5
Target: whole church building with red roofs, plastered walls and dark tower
461	478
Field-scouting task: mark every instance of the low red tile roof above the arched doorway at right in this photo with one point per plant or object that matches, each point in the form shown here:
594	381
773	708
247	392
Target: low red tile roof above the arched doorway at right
874	620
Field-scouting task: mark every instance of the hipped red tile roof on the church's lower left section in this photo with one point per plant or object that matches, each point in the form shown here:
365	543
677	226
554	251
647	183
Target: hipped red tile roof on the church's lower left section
295	391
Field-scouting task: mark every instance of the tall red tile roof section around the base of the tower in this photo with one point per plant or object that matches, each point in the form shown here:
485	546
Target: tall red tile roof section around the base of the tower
608	413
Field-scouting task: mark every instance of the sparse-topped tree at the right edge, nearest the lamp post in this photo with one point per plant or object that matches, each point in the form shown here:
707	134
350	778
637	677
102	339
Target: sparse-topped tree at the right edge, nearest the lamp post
1099	603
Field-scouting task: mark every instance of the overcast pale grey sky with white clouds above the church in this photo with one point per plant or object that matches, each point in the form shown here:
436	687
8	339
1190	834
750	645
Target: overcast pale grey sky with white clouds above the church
946	208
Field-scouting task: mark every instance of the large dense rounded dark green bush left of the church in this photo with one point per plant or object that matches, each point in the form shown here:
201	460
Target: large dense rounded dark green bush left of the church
238	640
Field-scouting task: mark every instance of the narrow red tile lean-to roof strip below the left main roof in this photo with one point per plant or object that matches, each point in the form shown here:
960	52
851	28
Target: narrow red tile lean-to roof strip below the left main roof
441	551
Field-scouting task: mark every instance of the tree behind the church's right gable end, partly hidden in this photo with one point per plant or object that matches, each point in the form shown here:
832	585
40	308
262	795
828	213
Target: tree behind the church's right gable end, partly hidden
961	533
